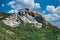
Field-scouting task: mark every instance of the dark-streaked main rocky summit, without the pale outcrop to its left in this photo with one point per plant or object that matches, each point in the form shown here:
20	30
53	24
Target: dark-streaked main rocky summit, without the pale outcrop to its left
32	16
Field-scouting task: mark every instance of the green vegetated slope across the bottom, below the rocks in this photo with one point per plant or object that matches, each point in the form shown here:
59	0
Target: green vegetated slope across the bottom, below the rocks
28	32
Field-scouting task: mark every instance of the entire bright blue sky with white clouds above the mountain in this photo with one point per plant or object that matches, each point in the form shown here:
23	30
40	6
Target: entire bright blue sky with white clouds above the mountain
49	8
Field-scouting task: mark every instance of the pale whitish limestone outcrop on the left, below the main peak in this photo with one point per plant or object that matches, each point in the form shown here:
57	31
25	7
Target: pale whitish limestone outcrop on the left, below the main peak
12	20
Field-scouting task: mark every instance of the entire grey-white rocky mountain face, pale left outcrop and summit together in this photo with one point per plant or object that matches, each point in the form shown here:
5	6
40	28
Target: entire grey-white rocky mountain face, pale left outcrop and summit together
26	15
